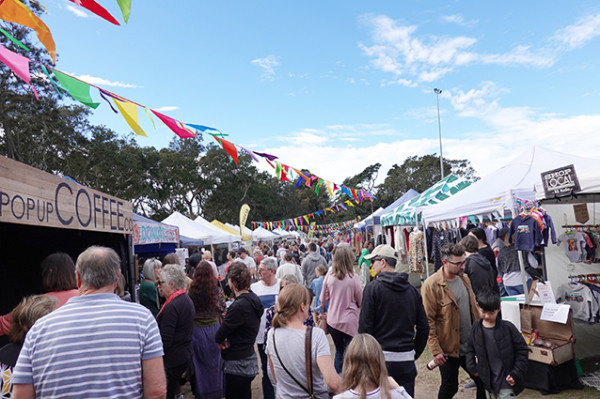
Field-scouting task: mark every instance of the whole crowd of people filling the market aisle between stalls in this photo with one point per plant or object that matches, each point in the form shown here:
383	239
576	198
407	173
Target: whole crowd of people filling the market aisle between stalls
272	311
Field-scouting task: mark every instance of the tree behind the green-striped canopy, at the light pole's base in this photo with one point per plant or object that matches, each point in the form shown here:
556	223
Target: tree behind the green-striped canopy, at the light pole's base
419	173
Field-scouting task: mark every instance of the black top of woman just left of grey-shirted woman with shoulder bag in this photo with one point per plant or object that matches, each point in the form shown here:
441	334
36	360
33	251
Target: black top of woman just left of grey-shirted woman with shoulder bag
240	326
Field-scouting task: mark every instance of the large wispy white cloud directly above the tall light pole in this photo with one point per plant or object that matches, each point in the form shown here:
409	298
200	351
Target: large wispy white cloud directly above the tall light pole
397	49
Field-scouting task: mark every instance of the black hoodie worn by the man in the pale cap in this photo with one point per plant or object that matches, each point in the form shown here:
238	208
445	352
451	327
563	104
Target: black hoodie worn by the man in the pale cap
391	309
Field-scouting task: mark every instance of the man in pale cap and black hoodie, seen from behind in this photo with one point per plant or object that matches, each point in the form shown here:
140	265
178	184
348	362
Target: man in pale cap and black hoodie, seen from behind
391	309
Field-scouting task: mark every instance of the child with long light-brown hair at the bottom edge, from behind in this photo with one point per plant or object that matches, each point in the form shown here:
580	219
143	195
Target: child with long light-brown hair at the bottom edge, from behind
364	373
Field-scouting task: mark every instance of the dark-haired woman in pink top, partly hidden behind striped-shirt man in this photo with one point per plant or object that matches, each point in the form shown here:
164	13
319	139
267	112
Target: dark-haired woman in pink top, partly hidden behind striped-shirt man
58	279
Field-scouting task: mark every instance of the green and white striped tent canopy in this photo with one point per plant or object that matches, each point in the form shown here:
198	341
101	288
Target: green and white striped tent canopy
410	212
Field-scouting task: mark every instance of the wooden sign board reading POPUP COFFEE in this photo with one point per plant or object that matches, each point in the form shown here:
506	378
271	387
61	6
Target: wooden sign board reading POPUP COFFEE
32	197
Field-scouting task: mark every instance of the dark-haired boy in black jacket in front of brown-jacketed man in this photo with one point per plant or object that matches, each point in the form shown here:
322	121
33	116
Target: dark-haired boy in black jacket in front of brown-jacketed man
497	352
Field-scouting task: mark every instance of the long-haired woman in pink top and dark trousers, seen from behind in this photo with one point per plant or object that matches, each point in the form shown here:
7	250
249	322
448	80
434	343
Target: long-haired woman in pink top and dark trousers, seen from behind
343	290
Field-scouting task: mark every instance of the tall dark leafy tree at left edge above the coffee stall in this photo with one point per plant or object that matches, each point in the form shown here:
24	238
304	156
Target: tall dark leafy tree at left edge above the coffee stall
41	133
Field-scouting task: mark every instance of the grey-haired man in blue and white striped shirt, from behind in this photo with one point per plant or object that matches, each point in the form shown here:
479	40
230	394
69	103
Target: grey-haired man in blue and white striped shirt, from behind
94	346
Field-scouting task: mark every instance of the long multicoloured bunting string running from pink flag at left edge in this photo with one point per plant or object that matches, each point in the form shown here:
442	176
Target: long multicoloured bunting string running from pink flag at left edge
80	91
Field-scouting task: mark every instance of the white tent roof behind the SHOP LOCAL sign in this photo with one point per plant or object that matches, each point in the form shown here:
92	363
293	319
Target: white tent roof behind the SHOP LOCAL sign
493	192
